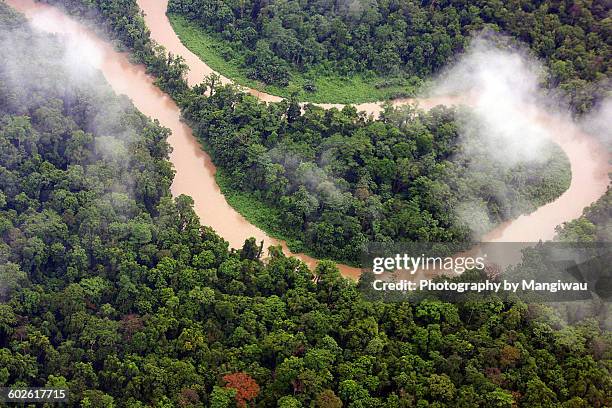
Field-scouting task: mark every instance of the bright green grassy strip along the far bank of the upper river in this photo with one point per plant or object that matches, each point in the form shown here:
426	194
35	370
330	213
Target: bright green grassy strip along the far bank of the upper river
220	56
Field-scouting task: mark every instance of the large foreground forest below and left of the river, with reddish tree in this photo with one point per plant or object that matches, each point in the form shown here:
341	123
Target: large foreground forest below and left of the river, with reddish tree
113	289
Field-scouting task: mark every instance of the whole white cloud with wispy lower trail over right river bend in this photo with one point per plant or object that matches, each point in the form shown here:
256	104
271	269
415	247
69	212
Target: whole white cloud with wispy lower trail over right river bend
503	134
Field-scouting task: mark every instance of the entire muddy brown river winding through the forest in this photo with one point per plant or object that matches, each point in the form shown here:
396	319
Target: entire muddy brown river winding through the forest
195	172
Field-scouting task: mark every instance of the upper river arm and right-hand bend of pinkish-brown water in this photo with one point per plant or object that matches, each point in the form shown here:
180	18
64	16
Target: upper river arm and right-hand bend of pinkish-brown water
588	158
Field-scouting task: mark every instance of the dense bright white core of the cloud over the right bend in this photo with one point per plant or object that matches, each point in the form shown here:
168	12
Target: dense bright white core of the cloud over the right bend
503	84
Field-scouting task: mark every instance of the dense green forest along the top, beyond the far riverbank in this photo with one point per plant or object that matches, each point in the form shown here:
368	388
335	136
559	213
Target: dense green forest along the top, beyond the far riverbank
402	39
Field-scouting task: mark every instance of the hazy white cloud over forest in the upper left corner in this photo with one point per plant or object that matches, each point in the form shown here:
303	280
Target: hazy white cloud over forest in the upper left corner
37	68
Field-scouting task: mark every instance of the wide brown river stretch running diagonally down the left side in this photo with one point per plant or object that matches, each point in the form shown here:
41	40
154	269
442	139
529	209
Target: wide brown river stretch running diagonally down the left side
195	173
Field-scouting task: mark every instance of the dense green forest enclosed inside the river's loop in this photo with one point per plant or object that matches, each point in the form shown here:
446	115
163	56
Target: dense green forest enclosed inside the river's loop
333	180
